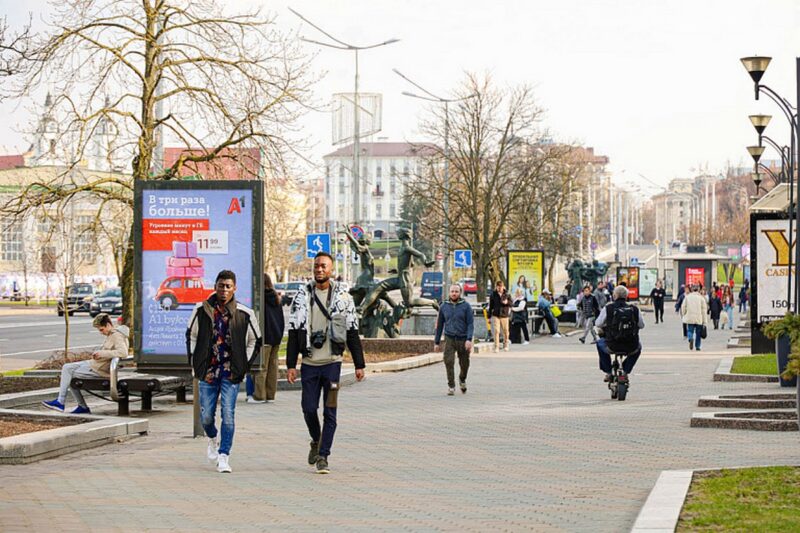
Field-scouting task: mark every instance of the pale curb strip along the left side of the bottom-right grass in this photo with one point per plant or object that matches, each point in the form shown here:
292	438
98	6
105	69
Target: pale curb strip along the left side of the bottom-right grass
662	509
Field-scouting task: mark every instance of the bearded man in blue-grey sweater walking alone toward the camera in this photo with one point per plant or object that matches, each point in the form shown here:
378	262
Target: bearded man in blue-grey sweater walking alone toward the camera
456	321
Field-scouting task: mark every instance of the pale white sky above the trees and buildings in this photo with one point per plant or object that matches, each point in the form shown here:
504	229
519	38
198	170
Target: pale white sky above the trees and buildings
657	86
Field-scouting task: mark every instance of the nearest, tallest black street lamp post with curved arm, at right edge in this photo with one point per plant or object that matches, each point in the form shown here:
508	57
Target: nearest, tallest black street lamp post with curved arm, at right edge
756	66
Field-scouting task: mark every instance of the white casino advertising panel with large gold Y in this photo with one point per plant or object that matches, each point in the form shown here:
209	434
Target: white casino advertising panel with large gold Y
772	275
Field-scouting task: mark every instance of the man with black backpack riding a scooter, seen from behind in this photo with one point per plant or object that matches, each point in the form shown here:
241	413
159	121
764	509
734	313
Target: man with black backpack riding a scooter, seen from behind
619	324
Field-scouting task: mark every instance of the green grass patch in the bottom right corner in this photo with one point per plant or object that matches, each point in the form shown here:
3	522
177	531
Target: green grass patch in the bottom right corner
747	499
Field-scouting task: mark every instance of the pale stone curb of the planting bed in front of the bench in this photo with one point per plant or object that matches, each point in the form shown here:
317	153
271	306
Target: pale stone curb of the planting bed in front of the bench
31	447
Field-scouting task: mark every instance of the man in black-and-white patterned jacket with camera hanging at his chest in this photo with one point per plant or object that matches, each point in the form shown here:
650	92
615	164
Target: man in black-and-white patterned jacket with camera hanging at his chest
322	322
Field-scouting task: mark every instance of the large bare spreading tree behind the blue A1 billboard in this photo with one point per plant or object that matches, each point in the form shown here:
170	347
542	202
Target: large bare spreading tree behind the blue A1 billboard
210	81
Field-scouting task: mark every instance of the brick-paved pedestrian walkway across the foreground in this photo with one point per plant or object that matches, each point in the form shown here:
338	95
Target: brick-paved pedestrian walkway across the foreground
536	444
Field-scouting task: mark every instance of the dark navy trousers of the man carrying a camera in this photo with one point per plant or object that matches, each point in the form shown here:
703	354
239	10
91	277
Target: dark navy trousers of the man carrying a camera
316	380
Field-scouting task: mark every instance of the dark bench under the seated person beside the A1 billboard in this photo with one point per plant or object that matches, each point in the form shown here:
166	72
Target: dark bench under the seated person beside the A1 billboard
121	385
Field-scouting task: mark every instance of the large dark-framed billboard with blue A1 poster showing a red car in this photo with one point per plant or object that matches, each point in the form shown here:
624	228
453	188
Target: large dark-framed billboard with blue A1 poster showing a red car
186	232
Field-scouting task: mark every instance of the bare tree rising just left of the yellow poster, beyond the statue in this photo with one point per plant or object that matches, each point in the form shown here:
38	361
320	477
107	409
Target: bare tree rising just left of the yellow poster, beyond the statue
497	159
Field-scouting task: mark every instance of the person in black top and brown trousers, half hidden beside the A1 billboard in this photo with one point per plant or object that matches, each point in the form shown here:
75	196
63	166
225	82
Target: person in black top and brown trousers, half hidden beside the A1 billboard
265	381
